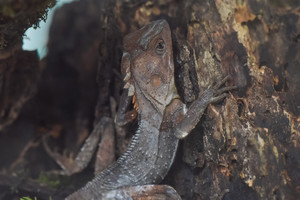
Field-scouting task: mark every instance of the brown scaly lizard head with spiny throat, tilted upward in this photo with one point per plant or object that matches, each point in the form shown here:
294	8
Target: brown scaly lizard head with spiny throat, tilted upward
147	65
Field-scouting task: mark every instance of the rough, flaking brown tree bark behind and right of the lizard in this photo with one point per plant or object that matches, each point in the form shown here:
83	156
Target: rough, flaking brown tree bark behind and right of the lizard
249	143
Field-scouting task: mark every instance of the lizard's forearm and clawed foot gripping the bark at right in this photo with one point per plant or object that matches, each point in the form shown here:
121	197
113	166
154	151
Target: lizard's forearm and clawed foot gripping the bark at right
196	110
